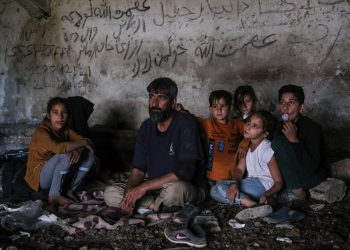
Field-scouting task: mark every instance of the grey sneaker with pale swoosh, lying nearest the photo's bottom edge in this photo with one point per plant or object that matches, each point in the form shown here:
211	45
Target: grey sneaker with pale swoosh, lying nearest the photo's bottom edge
185	236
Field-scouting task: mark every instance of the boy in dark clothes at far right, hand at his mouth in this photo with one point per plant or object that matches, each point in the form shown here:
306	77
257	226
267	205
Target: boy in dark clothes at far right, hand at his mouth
299	146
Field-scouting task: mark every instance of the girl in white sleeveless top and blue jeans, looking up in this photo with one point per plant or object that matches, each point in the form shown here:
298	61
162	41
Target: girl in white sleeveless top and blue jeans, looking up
263	175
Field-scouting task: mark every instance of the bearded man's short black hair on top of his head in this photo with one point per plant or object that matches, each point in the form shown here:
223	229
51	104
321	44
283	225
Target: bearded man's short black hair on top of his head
163	85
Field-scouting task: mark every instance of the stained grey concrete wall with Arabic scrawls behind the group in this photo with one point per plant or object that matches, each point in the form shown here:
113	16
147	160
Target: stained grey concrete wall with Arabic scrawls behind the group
108	51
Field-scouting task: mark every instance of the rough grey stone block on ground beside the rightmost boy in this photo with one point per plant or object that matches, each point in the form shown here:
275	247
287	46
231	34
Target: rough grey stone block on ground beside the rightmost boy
330	190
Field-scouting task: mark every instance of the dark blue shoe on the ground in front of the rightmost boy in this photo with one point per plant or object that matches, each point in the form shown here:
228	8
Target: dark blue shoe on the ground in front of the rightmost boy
284	215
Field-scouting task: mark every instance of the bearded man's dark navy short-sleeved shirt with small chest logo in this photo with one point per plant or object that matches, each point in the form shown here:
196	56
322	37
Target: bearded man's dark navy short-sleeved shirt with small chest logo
176	150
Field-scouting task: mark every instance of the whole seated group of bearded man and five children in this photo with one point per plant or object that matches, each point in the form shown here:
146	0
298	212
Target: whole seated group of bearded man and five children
181	159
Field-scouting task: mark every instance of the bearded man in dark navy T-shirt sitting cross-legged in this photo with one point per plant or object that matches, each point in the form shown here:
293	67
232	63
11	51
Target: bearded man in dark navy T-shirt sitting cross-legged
168	151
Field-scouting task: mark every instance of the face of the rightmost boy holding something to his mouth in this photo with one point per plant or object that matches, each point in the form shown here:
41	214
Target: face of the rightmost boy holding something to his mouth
289	105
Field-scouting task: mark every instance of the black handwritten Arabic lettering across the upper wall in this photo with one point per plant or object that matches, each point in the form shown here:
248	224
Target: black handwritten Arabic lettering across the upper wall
143	36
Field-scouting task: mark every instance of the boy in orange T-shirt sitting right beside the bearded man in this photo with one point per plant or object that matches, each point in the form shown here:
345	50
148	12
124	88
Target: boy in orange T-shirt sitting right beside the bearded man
223	138
